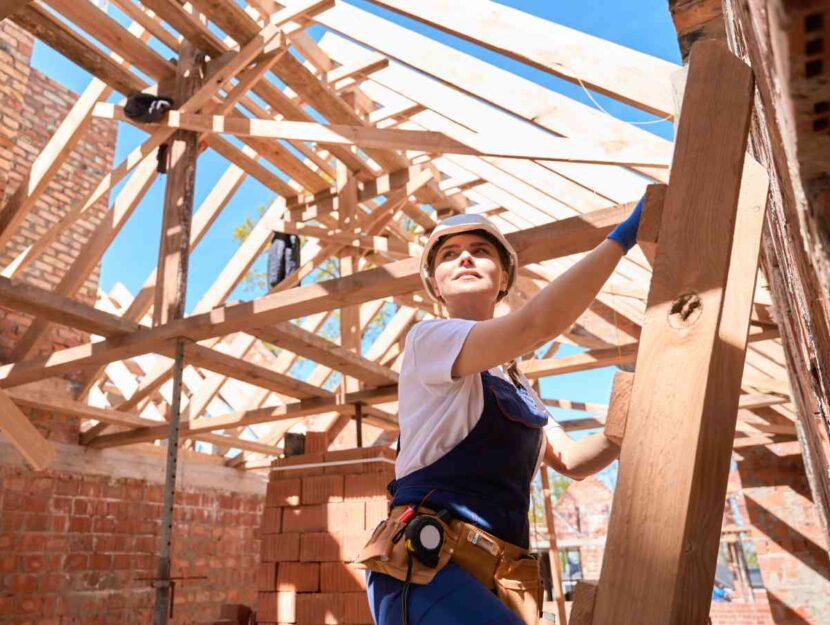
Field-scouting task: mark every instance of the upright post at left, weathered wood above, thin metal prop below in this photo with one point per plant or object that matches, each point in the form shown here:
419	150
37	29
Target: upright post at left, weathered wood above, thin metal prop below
171	288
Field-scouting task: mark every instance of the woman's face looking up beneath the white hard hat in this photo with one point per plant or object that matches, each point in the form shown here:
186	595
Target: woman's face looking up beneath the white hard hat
467	266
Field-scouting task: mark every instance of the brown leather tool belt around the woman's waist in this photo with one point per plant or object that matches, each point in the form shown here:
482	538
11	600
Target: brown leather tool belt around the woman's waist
501	566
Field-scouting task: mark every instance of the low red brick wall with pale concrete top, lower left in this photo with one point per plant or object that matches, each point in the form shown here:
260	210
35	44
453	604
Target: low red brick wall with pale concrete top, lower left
76	540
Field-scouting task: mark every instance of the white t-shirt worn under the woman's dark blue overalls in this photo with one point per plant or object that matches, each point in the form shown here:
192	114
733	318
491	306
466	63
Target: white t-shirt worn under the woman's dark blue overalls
435	411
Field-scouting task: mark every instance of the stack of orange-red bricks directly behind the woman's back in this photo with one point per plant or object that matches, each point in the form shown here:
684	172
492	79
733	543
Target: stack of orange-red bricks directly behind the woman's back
315	521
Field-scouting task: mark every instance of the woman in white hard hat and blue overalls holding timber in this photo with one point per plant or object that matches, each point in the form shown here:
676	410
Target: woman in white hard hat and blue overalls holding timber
454	548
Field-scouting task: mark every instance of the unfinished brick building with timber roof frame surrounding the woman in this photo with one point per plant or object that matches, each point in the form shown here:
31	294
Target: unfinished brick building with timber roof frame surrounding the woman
223	461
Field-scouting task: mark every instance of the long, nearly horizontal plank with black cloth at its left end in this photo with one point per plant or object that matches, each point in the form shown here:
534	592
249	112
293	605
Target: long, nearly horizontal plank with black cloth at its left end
540	148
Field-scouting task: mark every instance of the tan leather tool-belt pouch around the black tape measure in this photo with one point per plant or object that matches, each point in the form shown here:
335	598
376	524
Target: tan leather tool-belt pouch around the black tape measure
383	555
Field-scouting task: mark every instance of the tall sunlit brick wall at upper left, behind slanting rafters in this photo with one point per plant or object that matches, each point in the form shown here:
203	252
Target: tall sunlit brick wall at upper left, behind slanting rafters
33	106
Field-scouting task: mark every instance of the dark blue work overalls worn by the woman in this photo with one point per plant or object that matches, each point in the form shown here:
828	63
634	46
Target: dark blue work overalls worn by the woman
484	480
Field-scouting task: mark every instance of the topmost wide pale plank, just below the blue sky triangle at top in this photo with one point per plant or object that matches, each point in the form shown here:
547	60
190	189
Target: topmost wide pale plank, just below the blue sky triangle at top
640	80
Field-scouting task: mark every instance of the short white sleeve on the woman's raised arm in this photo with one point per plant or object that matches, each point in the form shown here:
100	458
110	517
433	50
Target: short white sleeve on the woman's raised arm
434	345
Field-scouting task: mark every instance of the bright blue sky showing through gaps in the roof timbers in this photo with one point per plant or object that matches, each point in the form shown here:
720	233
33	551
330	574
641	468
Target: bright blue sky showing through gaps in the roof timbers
644	25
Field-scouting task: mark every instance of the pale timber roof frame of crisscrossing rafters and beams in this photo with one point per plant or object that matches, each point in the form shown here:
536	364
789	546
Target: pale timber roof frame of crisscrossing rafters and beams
406	138
